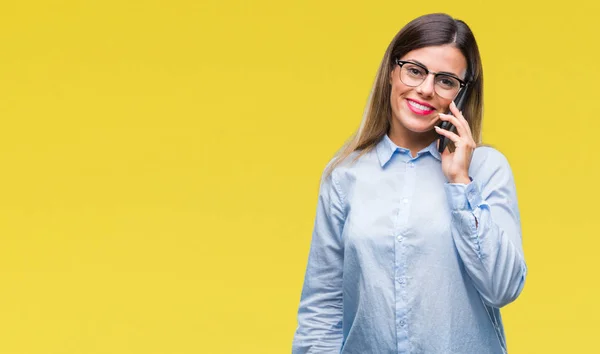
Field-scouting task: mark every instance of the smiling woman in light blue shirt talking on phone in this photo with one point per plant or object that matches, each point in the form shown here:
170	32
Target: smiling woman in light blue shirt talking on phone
414	251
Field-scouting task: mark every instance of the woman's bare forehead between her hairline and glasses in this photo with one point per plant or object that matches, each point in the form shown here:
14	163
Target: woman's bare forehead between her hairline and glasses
440	58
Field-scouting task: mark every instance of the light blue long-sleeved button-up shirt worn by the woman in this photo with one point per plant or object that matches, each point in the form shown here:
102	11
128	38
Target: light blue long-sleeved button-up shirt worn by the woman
401	261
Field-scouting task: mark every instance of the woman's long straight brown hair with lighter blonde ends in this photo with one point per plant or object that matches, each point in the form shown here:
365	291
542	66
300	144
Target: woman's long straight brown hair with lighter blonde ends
428	30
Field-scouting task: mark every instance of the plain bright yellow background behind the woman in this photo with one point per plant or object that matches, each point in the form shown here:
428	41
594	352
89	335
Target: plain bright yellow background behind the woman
160	164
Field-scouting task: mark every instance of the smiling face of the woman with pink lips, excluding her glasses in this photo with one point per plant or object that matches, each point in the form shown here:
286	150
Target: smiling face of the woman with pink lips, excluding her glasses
415	109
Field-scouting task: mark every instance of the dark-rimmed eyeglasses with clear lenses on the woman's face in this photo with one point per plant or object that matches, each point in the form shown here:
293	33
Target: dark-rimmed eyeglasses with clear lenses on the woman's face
445	85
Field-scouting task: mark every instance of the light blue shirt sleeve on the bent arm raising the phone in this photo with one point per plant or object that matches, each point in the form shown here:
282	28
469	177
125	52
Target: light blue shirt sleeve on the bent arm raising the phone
486	229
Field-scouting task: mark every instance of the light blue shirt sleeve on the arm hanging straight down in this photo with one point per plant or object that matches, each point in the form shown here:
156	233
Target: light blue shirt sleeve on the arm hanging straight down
320	312
